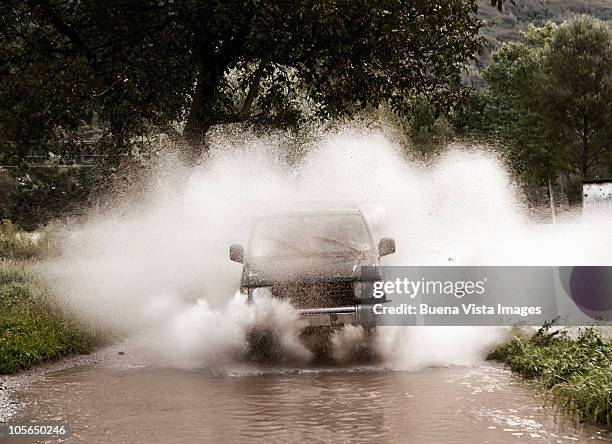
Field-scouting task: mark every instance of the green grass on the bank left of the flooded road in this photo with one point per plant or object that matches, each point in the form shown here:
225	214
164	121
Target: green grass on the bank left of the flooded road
33	326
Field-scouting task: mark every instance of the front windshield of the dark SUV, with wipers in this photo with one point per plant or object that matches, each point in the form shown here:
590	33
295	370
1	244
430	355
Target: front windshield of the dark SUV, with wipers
310	235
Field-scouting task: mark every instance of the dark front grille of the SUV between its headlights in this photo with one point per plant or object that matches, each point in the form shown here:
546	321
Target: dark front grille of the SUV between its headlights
319	295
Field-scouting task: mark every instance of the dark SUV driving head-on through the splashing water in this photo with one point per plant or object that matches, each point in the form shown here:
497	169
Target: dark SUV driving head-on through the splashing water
313	257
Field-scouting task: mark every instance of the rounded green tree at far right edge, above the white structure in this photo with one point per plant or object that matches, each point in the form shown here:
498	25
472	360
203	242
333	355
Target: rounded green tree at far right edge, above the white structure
578	91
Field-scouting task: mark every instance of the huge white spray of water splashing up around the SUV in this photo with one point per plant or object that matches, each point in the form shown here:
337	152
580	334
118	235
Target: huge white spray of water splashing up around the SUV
158	268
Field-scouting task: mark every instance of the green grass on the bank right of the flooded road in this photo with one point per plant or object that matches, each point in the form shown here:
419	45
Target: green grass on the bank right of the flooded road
575	371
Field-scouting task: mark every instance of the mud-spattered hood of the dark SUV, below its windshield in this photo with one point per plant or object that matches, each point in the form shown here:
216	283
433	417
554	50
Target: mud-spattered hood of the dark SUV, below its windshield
266	271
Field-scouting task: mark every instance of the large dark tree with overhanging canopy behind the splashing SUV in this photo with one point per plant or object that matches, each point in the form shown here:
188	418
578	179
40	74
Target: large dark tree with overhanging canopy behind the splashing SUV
152	63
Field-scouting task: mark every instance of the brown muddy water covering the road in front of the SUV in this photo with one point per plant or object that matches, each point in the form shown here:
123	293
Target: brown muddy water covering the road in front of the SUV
479	404
